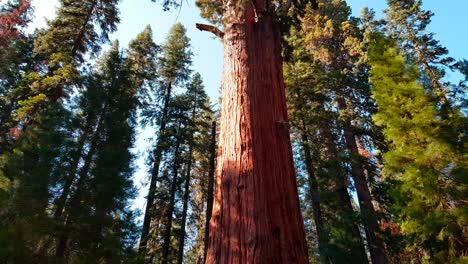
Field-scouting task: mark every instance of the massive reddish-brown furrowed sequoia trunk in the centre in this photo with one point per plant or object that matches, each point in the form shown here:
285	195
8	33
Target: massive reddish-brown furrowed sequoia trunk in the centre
256	216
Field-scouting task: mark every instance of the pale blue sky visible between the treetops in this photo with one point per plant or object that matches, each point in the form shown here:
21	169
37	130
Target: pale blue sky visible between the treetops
449	24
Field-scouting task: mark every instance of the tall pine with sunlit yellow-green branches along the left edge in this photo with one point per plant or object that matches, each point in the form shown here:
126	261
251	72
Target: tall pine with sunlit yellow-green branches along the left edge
40	122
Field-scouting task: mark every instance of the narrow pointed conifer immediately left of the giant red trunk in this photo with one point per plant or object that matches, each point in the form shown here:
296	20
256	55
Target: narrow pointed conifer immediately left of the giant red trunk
184	165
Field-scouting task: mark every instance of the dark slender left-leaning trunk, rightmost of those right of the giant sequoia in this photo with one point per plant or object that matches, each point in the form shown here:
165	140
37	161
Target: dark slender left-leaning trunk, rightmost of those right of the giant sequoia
376	246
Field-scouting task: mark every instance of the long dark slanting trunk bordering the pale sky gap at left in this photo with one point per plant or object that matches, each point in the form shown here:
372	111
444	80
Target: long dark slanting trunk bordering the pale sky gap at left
157	155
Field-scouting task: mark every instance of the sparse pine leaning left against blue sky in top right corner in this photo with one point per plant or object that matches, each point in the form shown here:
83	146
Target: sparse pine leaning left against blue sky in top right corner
407	22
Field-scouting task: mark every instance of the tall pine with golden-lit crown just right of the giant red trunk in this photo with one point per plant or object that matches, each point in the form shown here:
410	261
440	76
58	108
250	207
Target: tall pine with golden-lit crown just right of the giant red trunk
327	71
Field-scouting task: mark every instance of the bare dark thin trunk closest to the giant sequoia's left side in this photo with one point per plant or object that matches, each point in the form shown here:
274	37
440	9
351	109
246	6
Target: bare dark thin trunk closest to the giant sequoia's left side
210	189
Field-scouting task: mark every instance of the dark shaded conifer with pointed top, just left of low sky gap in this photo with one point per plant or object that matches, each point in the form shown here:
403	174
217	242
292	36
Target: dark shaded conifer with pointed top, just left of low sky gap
98	202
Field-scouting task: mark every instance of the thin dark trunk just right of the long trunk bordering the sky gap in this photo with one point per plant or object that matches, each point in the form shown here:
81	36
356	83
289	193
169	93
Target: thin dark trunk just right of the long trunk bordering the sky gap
168	230
